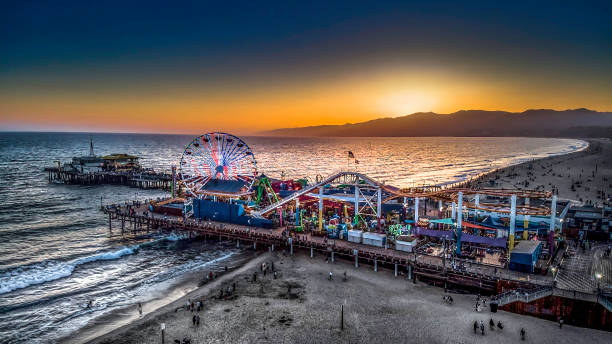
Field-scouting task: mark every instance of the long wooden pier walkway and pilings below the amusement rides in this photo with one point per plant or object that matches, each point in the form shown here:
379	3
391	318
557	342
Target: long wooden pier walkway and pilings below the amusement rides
523	293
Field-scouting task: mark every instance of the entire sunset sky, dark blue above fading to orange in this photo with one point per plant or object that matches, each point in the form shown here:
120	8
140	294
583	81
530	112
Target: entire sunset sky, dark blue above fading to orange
244	67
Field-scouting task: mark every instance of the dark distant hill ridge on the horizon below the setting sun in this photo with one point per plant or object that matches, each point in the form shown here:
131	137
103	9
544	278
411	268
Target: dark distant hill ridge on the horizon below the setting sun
530	123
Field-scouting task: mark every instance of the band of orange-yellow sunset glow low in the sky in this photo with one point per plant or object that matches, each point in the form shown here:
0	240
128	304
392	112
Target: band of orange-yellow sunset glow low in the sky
248	109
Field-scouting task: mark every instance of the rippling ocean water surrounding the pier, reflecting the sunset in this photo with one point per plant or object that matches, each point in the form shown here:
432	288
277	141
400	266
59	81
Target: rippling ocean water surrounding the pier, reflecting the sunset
55	249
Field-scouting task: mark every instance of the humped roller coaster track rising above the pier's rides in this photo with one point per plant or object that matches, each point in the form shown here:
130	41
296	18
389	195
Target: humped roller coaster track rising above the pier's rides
435	192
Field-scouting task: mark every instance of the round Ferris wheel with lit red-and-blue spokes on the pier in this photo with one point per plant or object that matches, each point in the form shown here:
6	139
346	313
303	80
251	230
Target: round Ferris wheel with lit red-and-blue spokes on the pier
216	156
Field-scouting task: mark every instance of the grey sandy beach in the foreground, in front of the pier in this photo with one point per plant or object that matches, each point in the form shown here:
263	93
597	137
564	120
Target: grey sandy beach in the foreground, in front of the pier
303	305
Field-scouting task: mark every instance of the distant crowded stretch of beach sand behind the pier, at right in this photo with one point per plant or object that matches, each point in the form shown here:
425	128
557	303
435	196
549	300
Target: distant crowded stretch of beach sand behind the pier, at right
589	171
